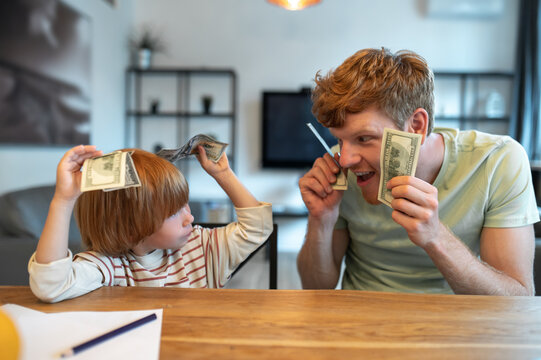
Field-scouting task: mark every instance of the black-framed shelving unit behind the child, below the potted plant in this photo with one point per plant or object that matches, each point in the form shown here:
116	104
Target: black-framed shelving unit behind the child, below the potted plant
164	108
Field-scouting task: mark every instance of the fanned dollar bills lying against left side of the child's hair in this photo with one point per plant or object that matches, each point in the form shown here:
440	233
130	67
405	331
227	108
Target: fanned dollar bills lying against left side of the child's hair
109	172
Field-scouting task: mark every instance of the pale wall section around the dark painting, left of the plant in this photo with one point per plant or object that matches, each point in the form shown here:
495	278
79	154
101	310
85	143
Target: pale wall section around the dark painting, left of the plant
23	166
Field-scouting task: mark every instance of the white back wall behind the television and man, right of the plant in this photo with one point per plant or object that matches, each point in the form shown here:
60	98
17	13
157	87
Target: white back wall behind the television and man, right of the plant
272	48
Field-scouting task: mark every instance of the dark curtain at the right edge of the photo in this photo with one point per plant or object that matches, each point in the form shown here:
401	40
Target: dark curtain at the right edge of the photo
525	124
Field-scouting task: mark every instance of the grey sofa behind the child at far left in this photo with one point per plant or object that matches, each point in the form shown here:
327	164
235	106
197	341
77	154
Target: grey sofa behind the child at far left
22	216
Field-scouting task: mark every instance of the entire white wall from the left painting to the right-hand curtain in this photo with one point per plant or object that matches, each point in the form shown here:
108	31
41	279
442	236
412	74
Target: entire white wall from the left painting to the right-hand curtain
270	48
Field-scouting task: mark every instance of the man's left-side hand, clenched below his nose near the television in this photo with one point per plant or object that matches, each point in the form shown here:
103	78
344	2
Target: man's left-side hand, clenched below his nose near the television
316	191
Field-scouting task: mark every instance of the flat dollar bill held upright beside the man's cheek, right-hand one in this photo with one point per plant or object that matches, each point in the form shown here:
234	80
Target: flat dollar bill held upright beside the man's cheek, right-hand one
399	156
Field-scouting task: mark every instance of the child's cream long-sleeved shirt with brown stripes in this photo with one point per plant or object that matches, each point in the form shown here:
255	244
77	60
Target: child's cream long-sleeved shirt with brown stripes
206	260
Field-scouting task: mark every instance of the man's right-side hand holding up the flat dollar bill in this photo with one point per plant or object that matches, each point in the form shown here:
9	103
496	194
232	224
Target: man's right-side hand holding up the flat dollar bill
415	207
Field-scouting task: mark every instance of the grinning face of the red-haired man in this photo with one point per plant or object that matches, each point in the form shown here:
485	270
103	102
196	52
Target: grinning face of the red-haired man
360	145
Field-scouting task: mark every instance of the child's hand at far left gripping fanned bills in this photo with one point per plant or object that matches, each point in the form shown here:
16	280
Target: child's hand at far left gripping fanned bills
68	172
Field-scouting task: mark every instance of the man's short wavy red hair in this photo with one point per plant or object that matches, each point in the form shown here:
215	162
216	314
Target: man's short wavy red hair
396	84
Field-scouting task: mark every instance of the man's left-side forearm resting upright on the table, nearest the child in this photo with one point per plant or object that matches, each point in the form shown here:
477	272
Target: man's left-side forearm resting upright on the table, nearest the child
319	260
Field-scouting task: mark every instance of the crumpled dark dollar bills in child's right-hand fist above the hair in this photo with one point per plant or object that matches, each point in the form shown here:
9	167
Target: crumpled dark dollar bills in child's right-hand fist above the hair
213	148
